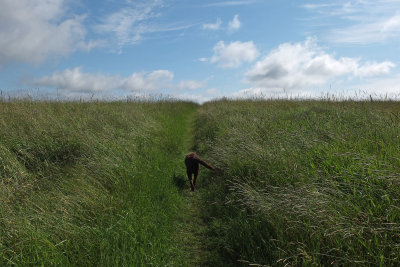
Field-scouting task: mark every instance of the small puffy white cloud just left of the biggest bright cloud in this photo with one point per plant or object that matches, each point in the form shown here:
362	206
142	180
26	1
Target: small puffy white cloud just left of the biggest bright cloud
234	54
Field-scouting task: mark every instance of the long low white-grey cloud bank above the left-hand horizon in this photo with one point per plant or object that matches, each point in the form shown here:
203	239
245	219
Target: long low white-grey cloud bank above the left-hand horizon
76	81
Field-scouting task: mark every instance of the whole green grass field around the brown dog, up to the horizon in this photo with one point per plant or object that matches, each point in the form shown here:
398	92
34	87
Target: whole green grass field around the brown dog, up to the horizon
297	183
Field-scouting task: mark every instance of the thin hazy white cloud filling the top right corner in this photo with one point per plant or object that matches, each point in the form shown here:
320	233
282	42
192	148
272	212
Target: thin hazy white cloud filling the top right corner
359	22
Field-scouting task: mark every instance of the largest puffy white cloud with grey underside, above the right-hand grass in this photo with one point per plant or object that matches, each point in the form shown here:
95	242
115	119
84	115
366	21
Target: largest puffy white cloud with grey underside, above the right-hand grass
300	65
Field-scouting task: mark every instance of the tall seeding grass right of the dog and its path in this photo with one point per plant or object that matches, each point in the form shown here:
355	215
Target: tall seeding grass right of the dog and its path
301	183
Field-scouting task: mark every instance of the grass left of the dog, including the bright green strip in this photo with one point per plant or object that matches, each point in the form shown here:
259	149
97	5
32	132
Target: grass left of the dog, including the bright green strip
91	183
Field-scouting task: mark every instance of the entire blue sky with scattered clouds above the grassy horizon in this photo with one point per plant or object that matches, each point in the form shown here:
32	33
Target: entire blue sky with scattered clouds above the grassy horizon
199	50
